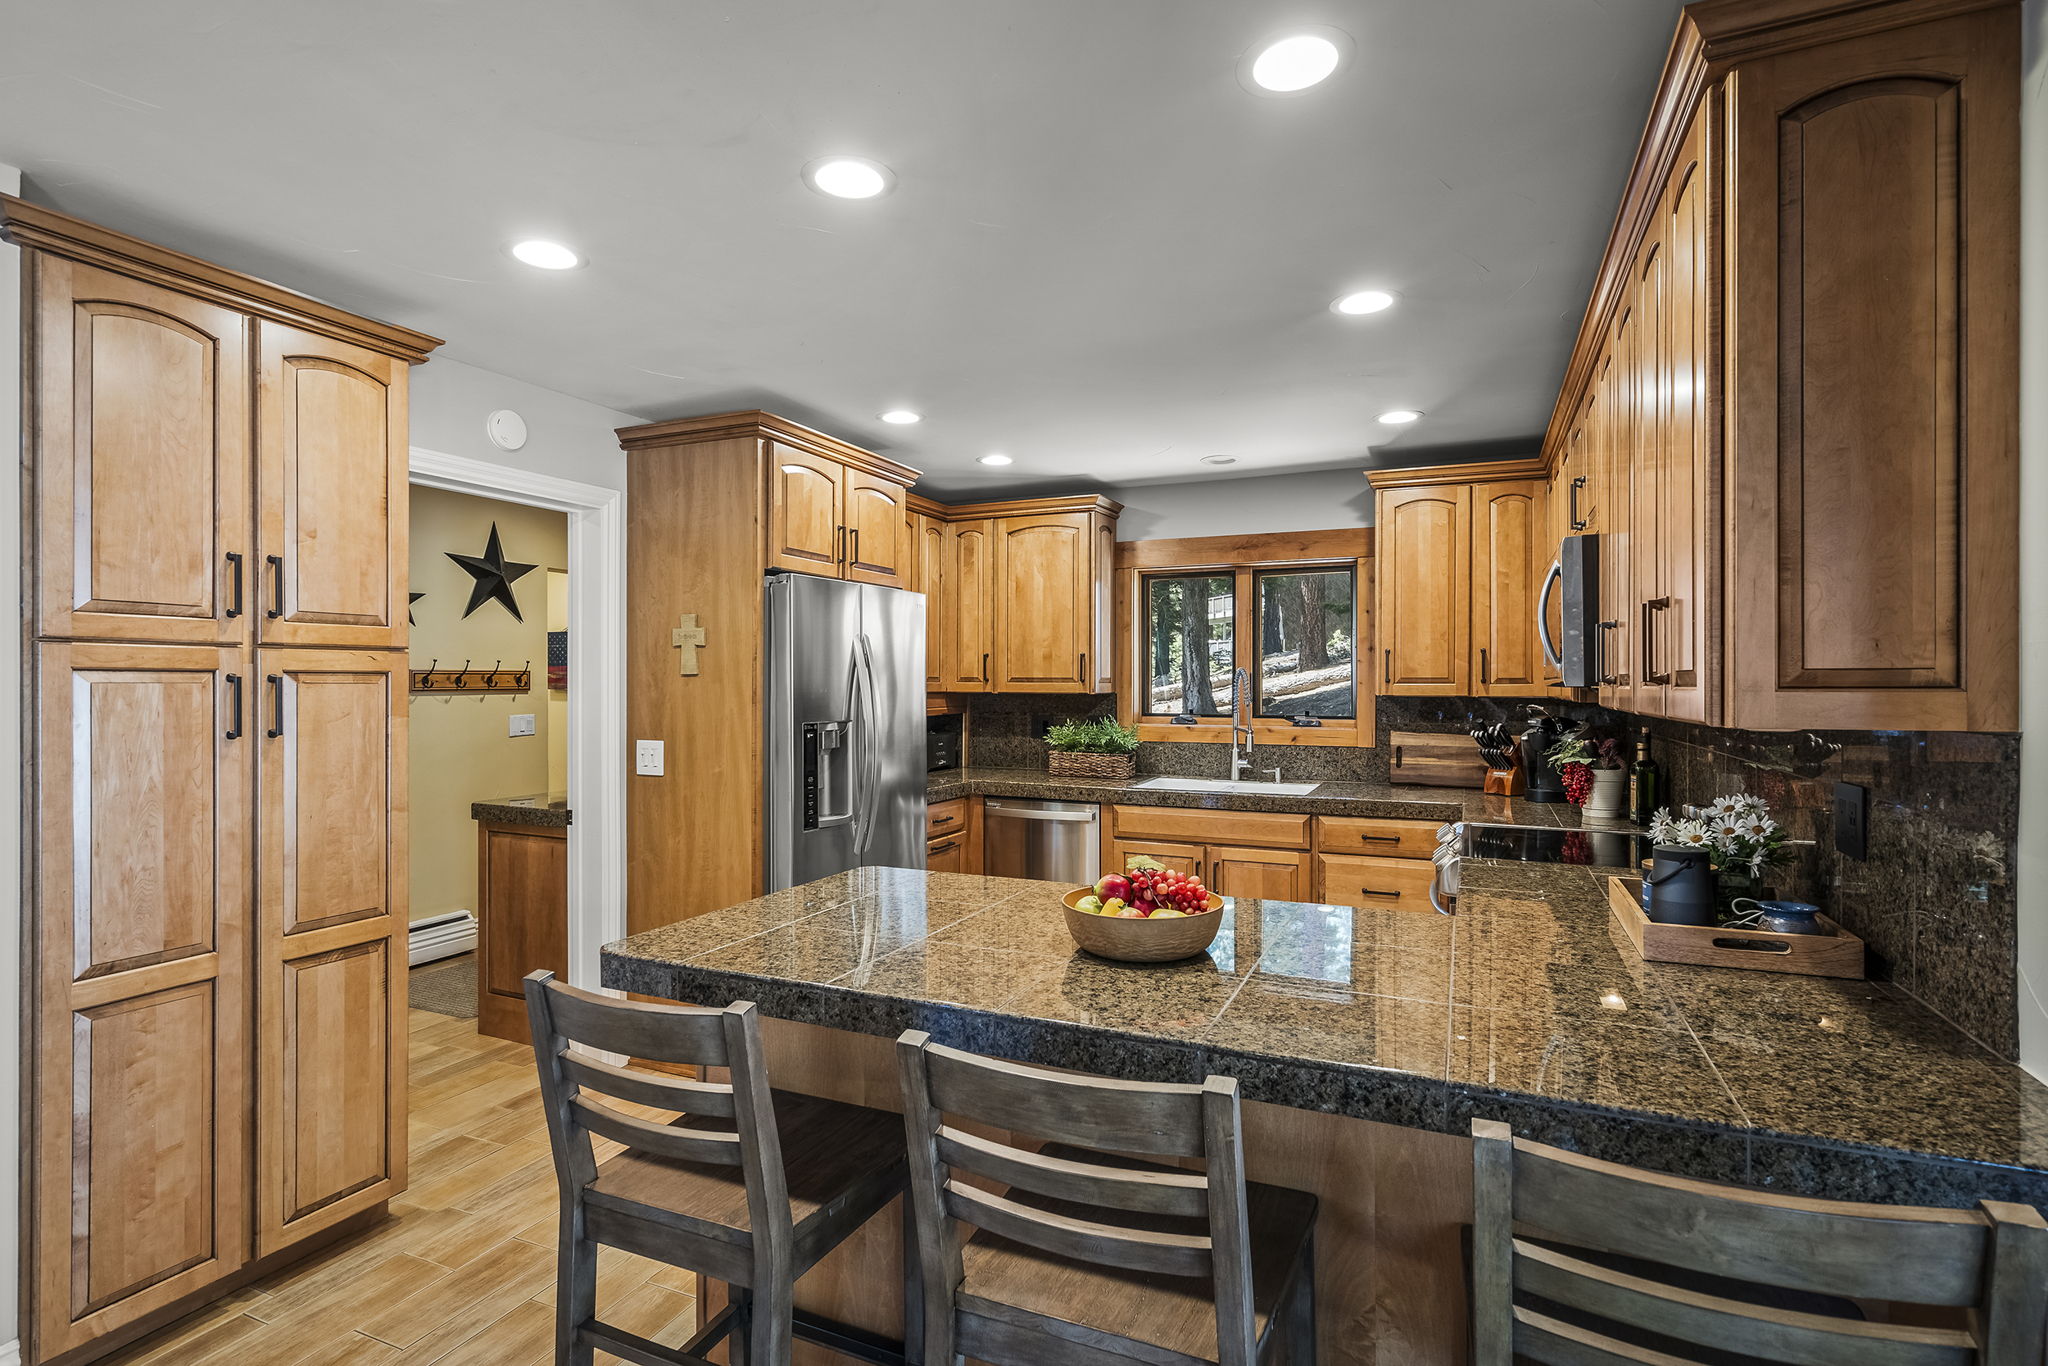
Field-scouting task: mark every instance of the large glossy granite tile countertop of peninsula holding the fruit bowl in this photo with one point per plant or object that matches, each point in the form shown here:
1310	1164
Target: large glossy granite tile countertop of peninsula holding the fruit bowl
1525	1007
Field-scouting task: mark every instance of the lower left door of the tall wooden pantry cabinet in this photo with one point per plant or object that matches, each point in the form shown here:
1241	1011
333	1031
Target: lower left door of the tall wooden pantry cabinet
138	1181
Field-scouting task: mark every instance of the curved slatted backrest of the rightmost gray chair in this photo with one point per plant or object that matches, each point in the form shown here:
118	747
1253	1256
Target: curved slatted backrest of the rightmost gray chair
1531	1199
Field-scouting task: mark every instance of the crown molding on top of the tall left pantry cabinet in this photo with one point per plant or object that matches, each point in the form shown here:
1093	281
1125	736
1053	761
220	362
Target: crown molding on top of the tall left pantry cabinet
60	234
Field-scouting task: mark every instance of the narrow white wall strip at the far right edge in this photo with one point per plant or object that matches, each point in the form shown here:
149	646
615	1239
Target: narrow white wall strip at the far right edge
2033	550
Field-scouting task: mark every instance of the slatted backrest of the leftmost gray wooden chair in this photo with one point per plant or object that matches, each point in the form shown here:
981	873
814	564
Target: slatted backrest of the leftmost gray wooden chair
577	1086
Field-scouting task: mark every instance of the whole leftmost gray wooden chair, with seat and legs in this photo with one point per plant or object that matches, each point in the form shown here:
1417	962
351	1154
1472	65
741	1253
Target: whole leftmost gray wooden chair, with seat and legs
746	1185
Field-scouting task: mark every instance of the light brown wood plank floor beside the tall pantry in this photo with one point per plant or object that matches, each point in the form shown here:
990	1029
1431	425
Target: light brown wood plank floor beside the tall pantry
464	1273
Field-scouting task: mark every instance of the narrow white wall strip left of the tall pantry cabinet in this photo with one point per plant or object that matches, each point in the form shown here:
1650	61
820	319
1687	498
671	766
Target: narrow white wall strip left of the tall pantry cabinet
9	763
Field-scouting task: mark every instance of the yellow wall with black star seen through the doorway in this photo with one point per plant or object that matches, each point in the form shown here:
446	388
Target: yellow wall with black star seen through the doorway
458	744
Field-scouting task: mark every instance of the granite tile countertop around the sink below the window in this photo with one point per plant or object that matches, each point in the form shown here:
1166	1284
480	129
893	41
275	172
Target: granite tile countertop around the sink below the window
1422	804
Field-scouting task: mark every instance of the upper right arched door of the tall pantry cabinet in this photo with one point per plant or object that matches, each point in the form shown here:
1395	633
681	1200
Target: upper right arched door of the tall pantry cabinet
331	493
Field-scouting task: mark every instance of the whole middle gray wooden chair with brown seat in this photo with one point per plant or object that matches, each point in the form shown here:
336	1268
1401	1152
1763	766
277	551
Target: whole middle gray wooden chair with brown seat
1091	1254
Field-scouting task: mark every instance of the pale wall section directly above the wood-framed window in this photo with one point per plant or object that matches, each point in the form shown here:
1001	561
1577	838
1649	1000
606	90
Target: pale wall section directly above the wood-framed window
1310	501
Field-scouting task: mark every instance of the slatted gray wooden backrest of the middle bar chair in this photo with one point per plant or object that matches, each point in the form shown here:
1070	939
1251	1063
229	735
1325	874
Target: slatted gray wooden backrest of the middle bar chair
1095	1113
